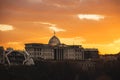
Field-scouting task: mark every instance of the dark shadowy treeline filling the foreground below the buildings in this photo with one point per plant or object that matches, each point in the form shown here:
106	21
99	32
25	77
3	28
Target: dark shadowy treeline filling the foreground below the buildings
61	71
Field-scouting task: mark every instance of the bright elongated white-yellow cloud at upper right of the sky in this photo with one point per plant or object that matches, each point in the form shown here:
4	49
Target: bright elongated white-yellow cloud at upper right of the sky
90	17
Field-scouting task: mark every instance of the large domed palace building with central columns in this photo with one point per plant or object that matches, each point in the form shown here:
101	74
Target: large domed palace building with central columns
54	50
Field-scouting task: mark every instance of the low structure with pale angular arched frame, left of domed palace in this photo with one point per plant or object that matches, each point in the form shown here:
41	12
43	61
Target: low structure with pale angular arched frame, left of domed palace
16	57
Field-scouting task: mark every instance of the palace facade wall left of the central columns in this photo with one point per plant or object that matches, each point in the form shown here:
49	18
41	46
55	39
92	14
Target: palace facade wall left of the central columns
40	52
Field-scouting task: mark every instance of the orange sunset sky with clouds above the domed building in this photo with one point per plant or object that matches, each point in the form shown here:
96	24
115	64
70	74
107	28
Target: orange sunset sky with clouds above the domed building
90	23
